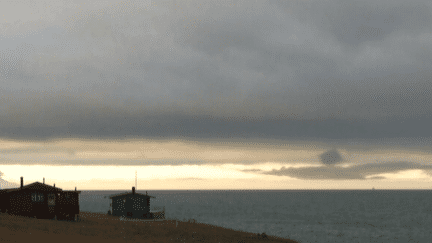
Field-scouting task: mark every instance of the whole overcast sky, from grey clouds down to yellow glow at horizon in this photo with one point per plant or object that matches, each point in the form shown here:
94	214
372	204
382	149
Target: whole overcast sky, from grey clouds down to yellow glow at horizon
248	91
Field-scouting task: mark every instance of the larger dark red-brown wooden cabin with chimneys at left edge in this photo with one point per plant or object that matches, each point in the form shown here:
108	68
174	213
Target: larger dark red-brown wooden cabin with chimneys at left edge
40	200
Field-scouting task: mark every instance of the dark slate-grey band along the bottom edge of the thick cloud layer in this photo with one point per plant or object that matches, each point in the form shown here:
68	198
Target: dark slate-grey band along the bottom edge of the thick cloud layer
181	126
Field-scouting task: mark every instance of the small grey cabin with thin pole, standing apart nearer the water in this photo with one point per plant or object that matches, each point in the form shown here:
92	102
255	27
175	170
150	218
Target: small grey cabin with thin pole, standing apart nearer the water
131	204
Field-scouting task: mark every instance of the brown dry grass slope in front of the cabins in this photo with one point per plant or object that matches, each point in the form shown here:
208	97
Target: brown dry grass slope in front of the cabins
95	227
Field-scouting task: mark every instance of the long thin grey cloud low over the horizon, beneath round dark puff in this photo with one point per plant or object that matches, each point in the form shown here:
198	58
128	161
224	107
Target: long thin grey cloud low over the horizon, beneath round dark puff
359	172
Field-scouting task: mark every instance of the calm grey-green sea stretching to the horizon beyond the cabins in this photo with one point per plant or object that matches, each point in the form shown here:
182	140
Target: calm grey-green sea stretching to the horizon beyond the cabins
305	216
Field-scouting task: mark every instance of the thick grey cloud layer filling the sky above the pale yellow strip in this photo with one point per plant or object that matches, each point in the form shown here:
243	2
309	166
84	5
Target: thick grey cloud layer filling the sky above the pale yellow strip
277	69
